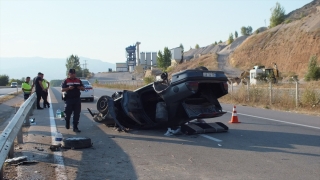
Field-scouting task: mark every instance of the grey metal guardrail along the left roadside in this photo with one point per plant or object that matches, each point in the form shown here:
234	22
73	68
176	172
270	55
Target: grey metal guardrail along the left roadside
14	130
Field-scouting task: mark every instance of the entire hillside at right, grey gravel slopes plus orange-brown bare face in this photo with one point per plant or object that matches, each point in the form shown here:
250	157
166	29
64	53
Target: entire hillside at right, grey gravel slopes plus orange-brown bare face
289	45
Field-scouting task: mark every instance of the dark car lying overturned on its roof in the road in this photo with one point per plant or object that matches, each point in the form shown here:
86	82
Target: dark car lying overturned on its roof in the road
191	94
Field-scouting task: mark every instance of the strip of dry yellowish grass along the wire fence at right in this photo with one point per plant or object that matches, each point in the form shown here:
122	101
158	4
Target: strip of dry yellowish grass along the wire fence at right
282	98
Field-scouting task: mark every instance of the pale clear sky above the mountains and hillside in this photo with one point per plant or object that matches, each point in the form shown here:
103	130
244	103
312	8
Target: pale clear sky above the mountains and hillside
102	29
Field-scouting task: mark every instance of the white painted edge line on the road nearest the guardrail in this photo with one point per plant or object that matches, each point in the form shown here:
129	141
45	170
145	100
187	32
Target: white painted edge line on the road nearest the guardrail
57	155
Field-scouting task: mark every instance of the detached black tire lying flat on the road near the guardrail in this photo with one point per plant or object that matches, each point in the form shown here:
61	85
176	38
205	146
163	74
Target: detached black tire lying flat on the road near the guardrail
76	143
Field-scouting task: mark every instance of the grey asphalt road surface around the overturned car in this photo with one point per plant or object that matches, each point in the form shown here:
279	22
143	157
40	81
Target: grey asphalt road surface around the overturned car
265	145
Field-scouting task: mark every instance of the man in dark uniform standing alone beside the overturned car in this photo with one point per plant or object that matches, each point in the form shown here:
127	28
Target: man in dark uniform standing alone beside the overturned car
72	86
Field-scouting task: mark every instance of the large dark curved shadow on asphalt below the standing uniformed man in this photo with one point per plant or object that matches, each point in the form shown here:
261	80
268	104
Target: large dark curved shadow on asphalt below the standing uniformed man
105	160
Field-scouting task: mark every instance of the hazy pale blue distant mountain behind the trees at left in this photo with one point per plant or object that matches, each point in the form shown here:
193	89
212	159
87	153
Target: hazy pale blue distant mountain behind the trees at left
52	68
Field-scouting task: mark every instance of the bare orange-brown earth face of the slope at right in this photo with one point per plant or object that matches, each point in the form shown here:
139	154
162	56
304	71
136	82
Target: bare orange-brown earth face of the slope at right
289	45
